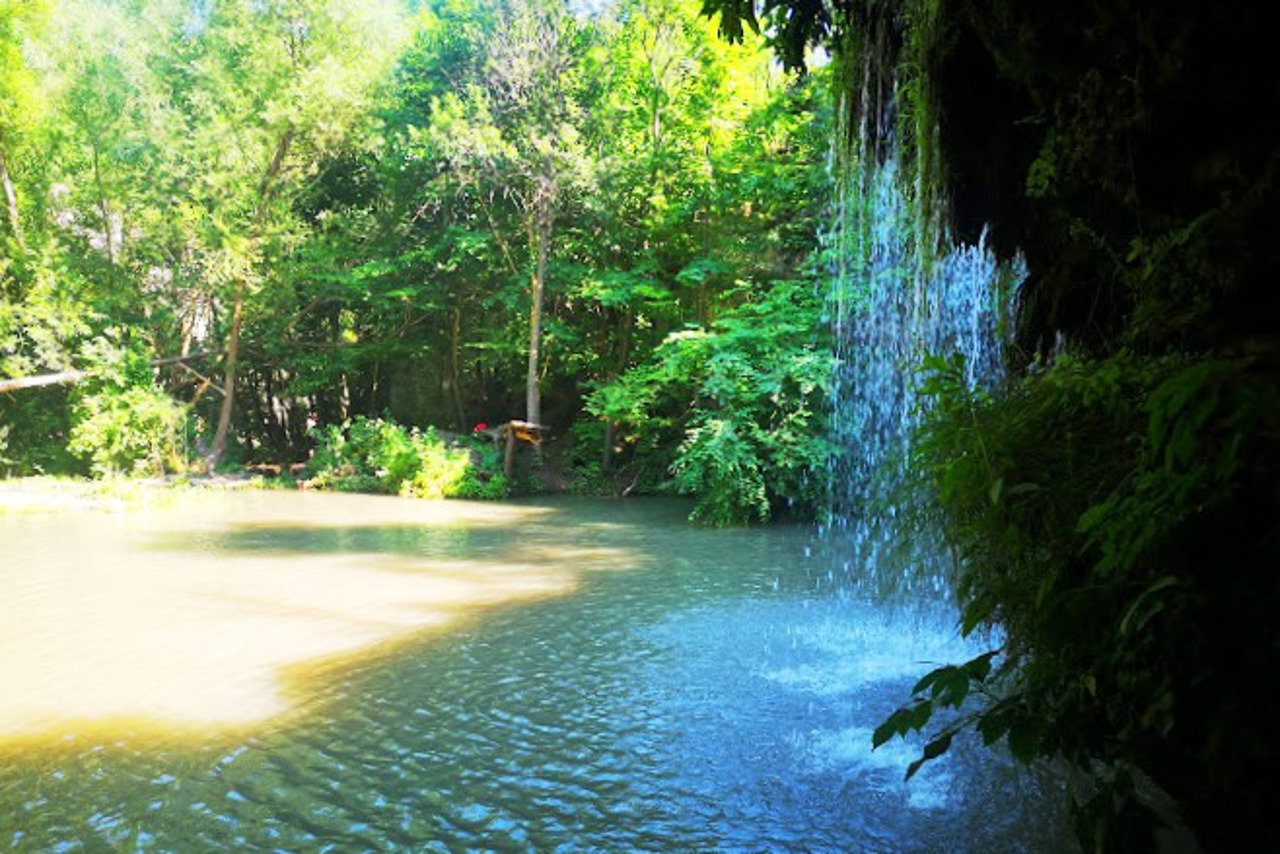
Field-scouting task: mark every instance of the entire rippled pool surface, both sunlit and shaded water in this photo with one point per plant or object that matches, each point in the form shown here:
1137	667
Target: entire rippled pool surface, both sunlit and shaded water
332	673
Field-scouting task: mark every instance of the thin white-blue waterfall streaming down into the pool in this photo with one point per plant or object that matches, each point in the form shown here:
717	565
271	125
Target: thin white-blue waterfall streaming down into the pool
900	291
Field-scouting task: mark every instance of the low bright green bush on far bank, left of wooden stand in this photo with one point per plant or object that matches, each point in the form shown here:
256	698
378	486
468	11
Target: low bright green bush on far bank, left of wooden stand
376	455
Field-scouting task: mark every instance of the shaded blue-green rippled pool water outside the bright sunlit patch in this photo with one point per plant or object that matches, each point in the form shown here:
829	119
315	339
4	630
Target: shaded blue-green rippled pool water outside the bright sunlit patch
707	691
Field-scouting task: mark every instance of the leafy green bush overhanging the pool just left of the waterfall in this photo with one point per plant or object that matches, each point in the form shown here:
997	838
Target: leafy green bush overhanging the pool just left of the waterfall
747	400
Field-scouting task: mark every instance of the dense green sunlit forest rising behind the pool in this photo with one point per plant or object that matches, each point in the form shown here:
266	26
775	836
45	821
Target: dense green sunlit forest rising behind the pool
450	216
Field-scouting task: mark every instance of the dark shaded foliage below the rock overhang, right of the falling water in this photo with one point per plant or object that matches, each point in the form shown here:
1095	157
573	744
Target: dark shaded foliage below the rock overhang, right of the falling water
1077	504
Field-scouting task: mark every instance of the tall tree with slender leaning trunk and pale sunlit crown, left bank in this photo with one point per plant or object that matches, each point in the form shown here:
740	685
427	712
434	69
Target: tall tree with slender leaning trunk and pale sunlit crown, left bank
266	89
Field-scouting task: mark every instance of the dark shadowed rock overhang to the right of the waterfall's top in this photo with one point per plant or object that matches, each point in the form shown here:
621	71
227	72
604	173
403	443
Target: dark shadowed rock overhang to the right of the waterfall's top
1100	136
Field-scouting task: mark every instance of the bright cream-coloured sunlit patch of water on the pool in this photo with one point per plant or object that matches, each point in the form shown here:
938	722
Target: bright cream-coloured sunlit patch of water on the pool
211	615
